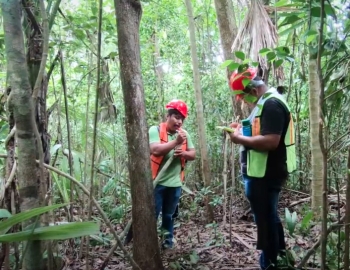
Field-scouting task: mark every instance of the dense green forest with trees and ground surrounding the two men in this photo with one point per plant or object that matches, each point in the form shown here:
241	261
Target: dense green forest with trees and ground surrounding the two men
82	83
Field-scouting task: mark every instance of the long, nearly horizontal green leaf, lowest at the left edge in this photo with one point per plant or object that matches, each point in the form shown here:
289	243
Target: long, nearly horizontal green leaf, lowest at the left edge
57	232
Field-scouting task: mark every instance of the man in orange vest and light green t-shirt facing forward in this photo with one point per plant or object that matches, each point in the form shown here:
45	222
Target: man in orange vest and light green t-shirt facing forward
166	140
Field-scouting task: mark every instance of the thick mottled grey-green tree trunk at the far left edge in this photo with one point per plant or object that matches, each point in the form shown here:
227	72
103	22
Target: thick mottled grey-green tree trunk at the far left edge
21	104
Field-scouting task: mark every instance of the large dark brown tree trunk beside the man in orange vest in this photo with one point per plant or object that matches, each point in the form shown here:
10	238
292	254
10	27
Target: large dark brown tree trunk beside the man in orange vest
145	248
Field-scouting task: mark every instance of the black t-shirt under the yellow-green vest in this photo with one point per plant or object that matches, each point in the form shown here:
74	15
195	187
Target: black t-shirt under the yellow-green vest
274	119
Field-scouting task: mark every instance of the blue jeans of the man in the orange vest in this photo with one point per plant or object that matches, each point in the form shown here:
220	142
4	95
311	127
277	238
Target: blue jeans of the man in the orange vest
166	200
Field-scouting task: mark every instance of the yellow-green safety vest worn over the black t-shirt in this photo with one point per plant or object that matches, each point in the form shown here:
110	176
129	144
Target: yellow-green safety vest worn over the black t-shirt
257	160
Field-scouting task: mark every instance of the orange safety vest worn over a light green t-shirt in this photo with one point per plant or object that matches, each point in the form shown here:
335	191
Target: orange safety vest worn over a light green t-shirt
156	161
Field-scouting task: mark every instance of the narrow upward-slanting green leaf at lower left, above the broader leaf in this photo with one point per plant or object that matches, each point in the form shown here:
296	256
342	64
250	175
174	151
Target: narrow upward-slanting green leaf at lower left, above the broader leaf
20	217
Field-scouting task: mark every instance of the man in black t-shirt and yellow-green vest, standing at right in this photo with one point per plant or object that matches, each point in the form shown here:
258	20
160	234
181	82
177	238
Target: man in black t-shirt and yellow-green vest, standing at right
267	156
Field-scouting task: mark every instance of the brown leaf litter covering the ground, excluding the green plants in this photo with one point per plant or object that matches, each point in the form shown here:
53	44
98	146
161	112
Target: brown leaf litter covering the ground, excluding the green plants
200	246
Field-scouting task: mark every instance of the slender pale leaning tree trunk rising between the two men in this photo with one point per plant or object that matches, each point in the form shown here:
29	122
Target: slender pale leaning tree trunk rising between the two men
199	109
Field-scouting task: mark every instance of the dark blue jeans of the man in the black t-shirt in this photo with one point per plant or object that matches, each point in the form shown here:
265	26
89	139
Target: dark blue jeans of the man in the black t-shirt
263	196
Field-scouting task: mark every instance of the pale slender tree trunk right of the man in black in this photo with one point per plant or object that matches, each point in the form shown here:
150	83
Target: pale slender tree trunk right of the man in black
316	153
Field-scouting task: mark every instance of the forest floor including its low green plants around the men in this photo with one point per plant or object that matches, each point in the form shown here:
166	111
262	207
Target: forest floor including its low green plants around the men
204	246
